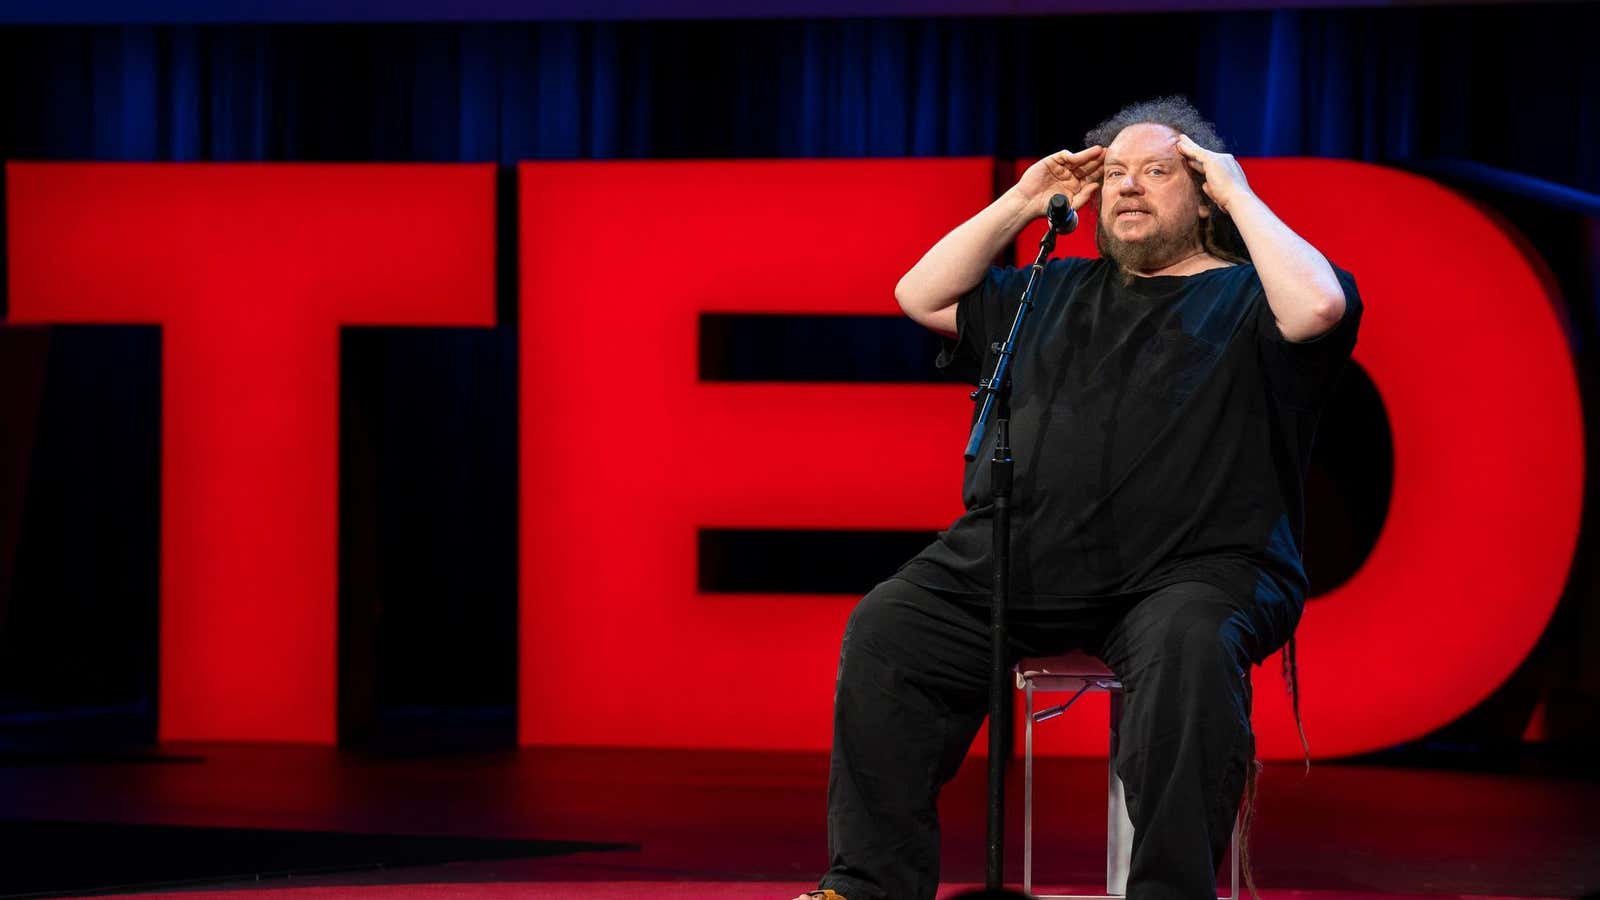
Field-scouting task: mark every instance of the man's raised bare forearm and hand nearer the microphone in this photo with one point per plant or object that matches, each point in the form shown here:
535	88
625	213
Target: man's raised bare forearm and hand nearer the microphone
930	291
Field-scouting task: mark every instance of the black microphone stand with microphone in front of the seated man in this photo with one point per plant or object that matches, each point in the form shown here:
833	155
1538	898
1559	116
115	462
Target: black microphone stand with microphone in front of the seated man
994	398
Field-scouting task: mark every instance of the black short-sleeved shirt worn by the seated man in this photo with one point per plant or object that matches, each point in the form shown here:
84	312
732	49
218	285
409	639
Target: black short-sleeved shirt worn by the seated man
1161	428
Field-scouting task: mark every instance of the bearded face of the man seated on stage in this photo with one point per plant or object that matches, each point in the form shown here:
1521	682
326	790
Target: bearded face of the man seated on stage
1150	209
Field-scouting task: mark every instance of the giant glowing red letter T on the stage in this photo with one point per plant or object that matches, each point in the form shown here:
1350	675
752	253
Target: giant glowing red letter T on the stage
250	271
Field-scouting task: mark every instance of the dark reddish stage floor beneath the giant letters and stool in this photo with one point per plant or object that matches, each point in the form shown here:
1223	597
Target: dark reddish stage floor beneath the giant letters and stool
633	824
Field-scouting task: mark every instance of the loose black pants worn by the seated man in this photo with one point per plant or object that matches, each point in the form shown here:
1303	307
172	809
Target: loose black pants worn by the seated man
914	688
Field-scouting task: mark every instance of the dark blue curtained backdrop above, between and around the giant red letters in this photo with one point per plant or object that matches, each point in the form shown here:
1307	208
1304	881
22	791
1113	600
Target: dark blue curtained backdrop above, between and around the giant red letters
428	539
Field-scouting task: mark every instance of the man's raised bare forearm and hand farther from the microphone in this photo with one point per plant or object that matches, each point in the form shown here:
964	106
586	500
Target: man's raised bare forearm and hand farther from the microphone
1302	289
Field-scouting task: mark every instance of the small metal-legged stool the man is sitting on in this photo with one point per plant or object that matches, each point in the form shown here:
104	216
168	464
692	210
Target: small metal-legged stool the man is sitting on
1081	673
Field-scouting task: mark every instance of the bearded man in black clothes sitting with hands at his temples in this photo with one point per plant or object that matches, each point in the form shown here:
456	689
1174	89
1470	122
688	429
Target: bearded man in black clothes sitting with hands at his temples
1164	406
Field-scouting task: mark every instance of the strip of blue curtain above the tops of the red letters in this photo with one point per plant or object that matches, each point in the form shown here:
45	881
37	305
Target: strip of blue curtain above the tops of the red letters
1383	86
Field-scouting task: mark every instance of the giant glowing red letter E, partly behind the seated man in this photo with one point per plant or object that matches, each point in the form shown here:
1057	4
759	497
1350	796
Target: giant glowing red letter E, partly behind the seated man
626	454
